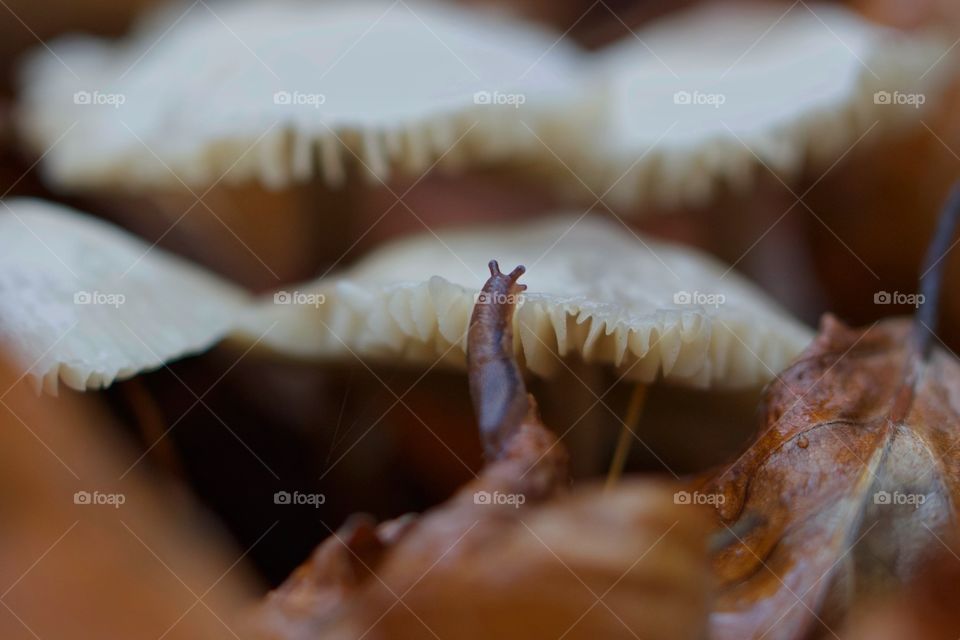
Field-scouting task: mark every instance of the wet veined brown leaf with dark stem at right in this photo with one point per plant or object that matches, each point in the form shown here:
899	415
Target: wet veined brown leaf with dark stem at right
855	474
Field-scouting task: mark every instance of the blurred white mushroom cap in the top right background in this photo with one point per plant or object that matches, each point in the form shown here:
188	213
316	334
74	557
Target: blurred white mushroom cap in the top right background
708	95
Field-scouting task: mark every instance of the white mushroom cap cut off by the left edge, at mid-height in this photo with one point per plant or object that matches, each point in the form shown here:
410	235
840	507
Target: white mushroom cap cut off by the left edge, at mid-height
85	302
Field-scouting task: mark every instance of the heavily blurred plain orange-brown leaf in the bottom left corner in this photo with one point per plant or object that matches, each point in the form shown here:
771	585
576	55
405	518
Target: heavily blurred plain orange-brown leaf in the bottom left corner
95	546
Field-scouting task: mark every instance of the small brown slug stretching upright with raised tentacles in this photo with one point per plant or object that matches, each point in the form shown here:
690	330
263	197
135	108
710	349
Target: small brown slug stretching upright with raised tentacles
500	400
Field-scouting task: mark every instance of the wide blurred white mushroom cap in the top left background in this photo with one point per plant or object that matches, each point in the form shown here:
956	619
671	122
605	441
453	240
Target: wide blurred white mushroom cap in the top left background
285	89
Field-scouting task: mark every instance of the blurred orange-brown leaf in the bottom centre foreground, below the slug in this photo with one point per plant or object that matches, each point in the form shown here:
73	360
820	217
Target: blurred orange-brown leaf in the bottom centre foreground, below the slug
626	564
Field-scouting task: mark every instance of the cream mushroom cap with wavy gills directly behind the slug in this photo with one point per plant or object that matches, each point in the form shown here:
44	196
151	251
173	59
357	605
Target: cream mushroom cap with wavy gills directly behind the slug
596	291
